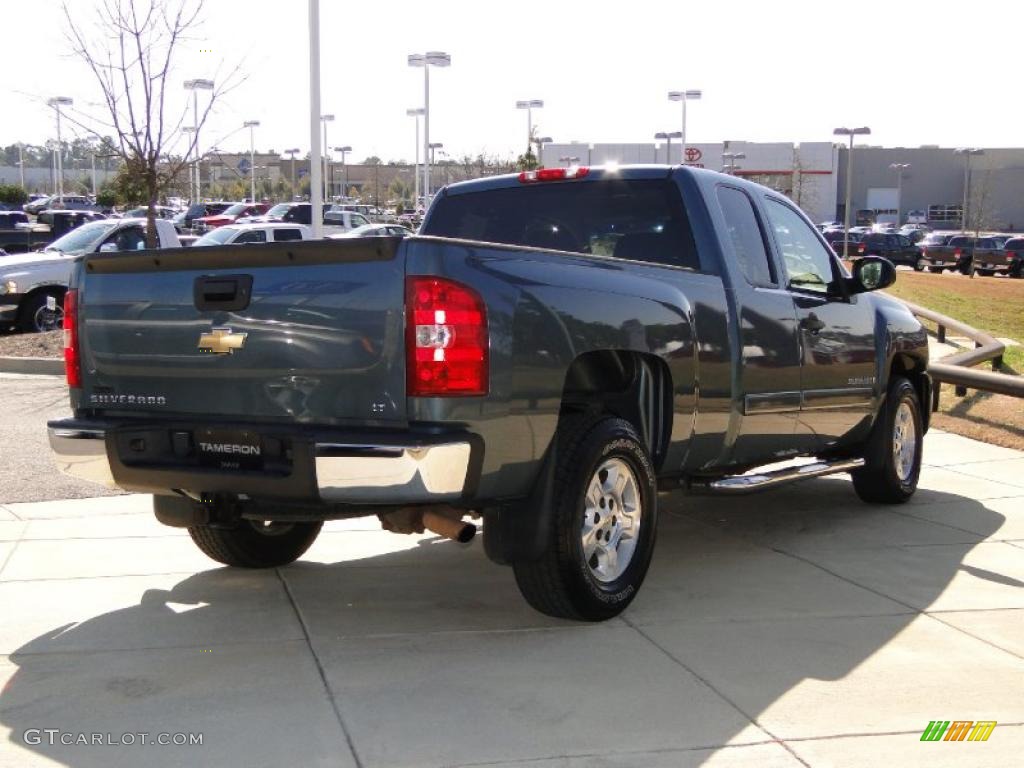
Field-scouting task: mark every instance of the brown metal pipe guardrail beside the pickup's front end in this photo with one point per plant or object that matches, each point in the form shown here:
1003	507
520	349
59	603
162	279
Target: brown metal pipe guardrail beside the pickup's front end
957	369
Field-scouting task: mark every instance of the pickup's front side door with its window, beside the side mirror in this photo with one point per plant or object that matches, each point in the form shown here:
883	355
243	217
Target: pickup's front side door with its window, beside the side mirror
837	333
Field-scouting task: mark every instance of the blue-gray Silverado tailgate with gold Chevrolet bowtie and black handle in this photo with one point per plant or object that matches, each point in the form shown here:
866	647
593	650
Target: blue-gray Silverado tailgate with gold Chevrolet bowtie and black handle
300	332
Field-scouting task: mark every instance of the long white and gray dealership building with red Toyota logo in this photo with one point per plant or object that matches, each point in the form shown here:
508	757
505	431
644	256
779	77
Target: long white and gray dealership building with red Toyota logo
814	175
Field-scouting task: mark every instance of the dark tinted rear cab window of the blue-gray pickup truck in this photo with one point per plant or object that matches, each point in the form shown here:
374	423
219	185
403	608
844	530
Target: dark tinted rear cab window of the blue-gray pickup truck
635	220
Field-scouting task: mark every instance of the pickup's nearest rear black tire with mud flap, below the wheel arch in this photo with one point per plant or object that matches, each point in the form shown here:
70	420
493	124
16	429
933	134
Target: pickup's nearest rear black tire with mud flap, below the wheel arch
563	583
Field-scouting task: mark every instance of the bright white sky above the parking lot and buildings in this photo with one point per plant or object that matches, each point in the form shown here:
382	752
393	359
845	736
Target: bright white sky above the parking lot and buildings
779	71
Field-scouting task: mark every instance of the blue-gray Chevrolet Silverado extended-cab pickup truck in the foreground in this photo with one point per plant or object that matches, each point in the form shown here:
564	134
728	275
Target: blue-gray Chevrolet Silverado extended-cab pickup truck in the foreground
552	351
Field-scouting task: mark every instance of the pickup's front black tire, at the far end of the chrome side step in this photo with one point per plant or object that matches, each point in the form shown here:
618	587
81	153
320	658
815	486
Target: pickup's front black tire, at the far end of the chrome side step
881	481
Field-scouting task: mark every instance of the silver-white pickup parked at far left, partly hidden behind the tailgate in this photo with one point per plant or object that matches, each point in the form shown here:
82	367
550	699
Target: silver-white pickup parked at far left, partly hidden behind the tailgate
31	283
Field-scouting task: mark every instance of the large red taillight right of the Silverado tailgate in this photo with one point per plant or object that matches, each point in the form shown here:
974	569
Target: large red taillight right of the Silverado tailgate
446	338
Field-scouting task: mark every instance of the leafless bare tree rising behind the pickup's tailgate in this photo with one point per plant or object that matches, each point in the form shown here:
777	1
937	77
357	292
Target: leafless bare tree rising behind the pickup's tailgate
131	48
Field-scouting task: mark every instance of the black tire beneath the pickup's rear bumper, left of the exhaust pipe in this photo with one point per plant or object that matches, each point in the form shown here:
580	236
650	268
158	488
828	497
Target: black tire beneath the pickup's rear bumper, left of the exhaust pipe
252	544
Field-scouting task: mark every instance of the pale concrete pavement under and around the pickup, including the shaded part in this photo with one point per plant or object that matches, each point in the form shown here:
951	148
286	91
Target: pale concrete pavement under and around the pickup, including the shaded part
796	628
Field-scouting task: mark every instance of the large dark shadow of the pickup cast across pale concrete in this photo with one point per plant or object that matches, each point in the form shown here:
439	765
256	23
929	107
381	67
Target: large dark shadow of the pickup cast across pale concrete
428	656
